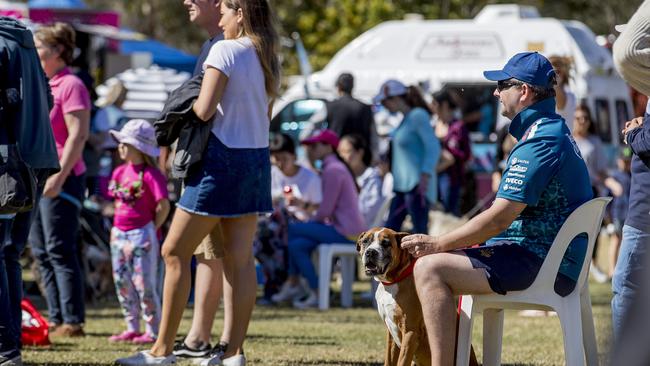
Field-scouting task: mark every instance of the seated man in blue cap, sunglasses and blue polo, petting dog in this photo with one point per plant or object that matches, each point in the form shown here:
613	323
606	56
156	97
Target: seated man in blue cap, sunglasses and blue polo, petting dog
544	180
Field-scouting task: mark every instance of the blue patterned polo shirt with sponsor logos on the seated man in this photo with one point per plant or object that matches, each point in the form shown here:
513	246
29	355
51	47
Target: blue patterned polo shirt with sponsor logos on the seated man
546	172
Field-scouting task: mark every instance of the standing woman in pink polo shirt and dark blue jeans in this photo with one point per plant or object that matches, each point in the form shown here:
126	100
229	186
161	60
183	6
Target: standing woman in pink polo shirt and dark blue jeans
54	233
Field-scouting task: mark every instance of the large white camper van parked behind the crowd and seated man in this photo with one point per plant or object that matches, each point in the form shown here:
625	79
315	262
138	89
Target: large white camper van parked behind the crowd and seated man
439	54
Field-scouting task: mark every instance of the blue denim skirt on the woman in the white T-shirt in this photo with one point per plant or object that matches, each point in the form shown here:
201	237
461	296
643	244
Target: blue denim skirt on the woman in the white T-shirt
229	182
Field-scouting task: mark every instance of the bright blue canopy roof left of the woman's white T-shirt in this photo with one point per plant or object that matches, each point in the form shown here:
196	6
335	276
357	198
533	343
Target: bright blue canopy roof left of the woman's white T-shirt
162	54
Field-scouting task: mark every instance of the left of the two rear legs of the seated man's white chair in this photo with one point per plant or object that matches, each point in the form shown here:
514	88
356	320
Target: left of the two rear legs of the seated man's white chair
572	331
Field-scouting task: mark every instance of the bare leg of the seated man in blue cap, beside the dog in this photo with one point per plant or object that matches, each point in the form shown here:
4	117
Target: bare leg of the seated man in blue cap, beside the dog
438	278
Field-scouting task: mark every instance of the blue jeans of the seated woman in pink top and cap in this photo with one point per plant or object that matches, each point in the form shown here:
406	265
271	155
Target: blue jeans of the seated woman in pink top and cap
304	237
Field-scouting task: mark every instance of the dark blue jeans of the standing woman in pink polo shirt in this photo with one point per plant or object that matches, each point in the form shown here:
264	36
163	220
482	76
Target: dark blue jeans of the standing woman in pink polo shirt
53	237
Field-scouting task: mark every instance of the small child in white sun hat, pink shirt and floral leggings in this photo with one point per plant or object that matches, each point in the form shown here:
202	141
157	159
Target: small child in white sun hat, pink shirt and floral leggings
141	207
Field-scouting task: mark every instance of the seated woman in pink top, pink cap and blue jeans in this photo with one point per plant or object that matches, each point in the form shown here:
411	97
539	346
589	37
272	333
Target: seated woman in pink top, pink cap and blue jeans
337	220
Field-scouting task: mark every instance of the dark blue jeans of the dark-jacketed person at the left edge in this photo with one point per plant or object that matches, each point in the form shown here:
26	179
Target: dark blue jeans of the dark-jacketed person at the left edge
13	238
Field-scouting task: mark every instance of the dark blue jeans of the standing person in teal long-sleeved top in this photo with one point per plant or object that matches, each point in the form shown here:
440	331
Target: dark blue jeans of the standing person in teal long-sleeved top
413	204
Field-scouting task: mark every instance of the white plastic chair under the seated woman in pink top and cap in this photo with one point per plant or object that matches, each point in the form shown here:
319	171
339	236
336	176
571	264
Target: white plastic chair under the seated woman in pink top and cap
347	253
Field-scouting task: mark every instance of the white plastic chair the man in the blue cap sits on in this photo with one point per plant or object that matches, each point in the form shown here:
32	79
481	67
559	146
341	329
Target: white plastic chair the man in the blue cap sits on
574	310
